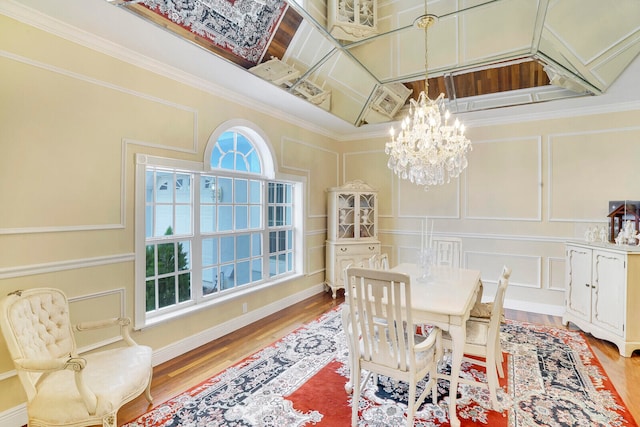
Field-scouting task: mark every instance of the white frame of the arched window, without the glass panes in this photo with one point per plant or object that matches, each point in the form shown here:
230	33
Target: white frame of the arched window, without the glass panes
269	174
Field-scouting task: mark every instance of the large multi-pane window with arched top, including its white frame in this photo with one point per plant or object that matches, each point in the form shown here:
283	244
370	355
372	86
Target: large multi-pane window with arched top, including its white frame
213	230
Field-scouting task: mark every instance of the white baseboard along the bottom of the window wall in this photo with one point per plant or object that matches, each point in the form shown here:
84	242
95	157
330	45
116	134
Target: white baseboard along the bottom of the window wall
17	416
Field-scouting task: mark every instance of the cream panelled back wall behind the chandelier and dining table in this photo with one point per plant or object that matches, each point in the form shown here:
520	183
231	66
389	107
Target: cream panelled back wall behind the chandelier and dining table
529	187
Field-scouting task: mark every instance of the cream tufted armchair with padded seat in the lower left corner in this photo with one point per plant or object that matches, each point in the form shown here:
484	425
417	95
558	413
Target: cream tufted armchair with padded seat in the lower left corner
64	389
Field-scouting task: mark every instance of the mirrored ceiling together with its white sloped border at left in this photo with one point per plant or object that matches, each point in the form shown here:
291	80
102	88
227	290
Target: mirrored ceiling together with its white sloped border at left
482	54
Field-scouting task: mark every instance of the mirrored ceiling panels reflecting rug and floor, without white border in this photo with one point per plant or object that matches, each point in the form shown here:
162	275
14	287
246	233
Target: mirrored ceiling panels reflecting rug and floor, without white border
482	54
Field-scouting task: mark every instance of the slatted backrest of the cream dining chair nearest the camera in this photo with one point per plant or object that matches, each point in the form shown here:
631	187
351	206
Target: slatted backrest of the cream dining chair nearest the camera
380	299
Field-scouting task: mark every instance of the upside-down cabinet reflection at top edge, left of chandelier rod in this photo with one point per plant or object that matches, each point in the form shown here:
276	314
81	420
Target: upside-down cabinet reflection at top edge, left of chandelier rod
353	19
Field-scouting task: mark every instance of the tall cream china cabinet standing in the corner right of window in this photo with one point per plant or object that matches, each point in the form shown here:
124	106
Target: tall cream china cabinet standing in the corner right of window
352	230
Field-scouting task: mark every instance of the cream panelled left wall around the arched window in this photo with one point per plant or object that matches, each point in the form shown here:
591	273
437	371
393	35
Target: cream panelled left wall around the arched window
71	123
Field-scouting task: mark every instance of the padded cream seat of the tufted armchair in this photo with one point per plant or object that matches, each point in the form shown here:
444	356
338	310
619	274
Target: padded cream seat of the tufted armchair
58	401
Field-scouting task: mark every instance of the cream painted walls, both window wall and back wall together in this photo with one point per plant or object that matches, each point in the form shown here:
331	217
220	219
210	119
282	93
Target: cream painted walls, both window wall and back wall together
72	120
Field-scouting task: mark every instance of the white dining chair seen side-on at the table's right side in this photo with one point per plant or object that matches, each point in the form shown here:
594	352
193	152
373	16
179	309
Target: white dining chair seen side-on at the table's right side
483	340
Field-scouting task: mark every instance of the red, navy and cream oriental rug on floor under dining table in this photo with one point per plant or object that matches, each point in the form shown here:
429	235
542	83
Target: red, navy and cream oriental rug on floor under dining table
552	378
